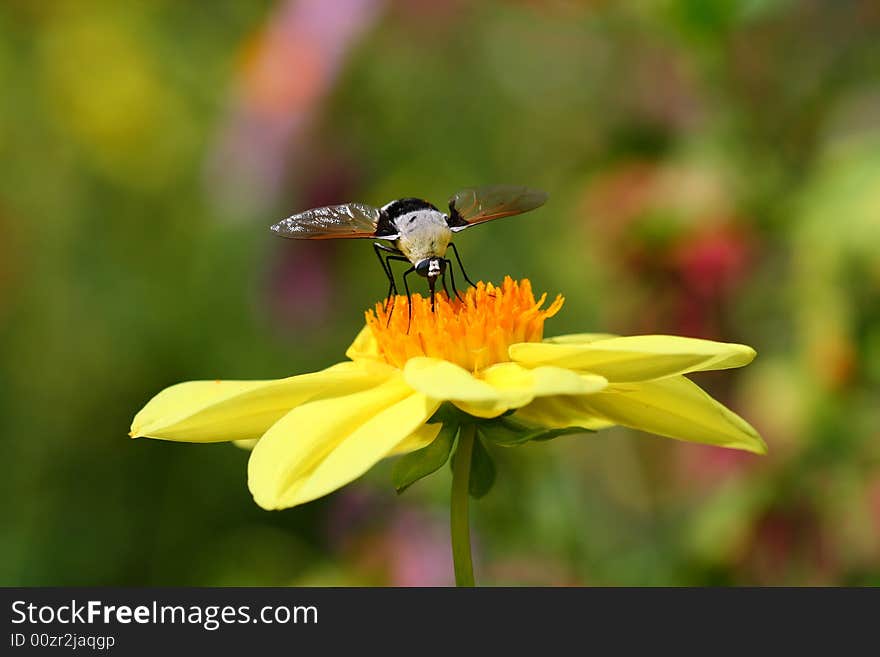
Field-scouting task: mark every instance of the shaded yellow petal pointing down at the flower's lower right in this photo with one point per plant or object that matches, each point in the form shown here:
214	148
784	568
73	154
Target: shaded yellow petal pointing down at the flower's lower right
676	408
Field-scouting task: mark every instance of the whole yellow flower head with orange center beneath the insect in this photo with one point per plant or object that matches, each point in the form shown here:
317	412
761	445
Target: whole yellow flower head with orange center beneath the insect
317	432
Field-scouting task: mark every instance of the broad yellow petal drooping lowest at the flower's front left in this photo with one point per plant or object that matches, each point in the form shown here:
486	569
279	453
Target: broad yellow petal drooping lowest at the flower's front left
322	445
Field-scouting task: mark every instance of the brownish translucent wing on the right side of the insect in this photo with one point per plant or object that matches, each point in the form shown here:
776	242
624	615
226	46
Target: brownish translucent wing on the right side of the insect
479	204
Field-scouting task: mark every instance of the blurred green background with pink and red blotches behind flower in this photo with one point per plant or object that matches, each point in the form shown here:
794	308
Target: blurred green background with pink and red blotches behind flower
714	171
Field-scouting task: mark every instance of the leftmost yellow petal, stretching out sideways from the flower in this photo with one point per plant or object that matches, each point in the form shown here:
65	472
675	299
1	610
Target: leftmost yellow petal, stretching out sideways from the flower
214	411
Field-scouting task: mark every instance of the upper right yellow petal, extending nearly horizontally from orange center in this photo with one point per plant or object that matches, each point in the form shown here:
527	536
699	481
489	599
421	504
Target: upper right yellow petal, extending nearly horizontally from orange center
635	358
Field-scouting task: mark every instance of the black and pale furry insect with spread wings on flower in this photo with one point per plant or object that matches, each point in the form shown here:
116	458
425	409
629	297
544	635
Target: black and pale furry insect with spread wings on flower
419	233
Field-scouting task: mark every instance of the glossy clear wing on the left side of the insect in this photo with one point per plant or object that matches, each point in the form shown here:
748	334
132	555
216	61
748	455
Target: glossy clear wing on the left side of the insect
335	221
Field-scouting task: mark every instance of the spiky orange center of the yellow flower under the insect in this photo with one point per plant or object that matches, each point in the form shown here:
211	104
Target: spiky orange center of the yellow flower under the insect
474	332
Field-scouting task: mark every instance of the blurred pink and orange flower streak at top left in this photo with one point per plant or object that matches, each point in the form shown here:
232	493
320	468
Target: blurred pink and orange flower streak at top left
288	68
